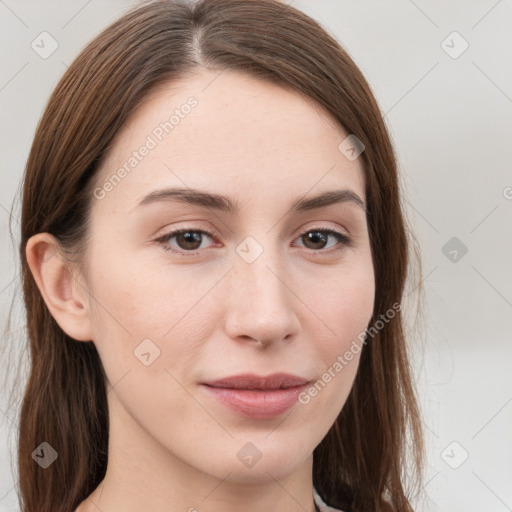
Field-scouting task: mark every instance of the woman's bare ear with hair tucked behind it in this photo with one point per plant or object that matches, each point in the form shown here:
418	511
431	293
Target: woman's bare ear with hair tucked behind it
65	297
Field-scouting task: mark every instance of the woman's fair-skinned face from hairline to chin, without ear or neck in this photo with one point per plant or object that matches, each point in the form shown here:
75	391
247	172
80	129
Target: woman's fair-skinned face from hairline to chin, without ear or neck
254	287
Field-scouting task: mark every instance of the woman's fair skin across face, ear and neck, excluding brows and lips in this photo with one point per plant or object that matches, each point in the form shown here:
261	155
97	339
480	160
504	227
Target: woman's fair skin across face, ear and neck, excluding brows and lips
295	308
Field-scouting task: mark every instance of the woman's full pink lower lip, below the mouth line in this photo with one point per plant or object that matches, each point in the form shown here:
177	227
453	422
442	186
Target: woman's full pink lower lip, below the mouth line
257	404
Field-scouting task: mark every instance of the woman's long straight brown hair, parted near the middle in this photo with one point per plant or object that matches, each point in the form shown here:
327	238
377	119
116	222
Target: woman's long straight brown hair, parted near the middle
360	464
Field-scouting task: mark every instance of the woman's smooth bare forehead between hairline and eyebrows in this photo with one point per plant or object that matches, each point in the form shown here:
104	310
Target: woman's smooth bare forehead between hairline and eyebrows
227	131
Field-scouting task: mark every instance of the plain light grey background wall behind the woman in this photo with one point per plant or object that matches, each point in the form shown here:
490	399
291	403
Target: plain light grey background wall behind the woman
448	109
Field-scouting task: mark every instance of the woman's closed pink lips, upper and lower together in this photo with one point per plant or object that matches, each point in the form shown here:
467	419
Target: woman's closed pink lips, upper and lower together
257	397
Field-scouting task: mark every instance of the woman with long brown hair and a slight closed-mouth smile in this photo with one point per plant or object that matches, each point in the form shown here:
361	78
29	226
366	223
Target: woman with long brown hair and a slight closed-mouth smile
214	258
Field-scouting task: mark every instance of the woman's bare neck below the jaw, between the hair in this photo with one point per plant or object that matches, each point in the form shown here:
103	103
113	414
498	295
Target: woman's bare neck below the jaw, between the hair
144	475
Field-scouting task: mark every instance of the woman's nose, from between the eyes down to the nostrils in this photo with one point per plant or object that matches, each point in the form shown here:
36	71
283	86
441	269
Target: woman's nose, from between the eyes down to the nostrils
261	302
